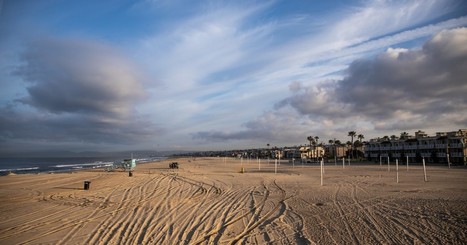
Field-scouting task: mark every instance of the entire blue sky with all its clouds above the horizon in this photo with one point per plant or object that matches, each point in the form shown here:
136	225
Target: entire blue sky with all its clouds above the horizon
214	75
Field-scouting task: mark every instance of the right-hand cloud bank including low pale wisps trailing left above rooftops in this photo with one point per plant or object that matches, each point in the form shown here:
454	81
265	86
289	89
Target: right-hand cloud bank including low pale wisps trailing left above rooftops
399	89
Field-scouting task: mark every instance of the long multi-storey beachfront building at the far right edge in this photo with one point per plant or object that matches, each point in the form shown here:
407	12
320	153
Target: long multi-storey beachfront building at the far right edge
443	147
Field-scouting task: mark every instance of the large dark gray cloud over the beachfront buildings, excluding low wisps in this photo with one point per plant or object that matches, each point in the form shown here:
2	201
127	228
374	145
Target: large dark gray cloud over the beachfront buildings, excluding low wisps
426	83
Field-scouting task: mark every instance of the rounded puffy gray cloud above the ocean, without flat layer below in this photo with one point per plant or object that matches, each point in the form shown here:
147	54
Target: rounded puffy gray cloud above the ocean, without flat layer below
79	76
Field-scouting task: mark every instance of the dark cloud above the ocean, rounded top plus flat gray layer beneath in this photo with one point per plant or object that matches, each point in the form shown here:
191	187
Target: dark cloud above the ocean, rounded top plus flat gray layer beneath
78	91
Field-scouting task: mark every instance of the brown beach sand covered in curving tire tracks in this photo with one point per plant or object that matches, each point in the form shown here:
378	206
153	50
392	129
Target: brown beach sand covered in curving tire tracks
208	201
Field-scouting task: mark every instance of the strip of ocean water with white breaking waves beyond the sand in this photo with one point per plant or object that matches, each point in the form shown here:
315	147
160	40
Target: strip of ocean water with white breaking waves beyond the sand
30	165
